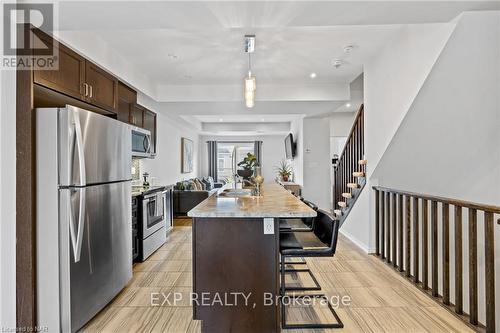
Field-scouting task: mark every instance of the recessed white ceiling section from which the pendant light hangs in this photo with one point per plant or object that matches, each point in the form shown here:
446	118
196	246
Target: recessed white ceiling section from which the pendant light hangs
216	57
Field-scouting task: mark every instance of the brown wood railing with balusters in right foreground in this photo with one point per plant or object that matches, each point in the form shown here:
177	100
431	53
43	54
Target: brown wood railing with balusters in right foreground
407	230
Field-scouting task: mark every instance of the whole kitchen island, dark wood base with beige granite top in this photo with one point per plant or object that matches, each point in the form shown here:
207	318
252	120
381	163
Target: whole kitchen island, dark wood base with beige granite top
236	258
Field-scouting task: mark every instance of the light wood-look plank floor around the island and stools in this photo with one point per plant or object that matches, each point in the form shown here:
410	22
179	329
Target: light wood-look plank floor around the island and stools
381	300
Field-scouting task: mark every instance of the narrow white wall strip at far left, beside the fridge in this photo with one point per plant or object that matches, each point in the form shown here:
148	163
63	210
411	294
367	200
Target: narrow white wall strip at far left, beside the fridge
7	199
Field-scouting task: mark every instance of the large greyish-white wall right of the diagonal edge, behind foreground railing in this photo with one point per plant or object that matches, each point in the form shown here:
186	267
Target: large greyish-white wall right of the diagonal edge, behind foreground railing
447	143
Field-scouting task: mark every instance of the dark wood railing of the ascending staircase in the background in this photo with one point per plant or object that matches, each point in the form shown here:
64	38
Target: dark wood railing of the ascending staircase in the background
347	163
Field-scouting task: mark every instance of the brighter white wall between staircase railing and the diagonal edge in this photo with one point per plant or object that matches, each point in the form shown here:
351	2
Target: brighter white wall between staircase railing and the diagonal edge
392	80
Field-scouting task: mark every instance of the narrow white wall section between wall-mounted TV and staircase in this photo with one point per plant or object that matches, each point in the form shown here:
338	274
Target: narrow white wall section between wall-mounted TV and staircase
317	162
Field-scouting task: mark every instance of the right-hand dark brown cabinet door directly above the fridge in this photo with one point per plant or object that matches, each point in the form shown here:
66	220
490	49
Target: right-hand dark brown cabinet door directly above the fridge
101	87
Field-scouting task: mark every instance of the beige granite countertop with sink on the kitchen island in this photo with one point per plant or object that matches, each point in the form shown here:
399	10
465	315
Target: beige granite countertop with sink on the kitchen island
274	202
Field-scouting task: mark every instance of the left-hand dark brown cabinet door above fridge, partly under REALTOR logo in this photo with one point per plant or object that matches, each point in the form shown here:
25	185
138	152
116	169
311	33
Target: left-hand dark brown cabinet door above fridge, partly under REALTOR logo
70	76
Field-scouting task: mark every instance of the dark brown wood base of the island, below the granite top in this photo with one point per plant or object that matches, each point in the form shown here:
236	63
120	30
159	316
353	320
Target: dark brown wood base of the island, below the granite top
235	275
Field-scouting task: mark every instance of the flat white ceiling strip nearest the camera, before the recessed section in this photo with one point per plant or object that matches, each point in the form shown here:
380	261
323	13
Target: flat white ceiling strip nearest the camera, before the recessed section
128	15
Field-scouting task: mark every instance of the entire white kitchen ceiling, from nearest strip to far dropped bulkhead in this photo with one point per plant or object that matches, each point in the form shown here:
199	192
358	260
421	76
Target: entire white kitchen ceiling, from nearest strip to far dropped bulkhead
190	53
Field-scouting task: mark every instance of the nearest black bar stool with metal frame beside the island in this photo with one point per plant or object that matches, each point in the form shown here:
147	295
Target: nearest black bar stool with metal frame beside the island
320	242
